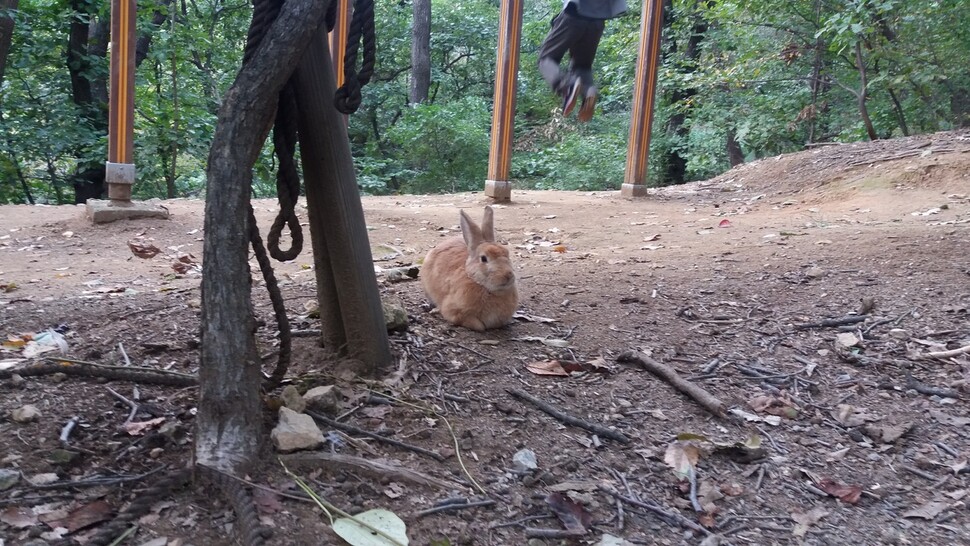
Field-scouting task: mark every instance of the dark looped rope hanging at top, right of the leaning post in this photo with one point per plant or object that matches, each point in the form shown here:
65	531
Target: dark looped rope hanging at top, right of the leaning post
348	98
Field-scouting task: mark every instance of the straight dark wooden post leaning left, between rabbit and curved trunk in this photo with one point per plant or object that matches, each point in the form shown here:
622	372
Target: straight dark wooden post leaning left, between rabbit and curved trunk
350	304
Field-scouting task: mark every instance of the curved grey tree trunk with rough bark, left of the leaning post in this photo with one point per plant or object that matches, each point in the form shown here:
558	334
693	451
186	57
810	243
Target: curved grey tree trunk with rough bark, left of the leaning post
228	428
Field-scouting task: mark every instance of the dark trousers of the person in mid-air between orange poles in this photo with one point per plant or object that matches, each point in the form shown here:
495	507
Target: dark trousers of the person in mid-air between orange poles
580	37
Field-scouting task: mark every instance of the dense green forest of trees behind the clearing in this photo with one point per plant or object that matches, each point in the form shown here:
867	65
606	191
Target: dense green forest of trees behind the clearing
739	80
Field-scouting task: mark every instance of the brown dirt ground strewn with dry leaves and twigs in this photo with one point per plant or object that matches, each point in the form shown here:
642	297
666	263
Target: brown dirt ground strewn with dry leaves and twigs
863	432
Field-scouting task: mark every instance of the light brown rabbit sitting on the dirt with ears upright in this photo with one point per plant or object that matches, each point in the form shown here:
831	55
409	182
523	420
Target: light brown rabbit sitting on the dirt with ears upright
470	278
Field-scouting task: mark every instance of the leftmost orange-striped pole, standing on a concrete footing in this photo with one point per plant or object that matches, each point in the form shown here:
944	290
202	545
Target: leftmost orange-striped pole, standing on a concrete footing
120	169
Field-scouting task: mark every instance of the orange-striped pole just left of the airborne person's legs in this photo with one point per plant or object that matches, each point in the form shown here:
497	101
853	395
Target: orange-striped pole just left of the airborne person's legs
497	186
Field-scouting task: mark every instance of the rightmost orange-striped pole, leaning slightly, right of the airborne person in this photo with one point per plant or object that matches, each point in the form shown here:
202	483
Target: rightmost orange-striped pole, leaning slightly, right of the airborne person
644	90
